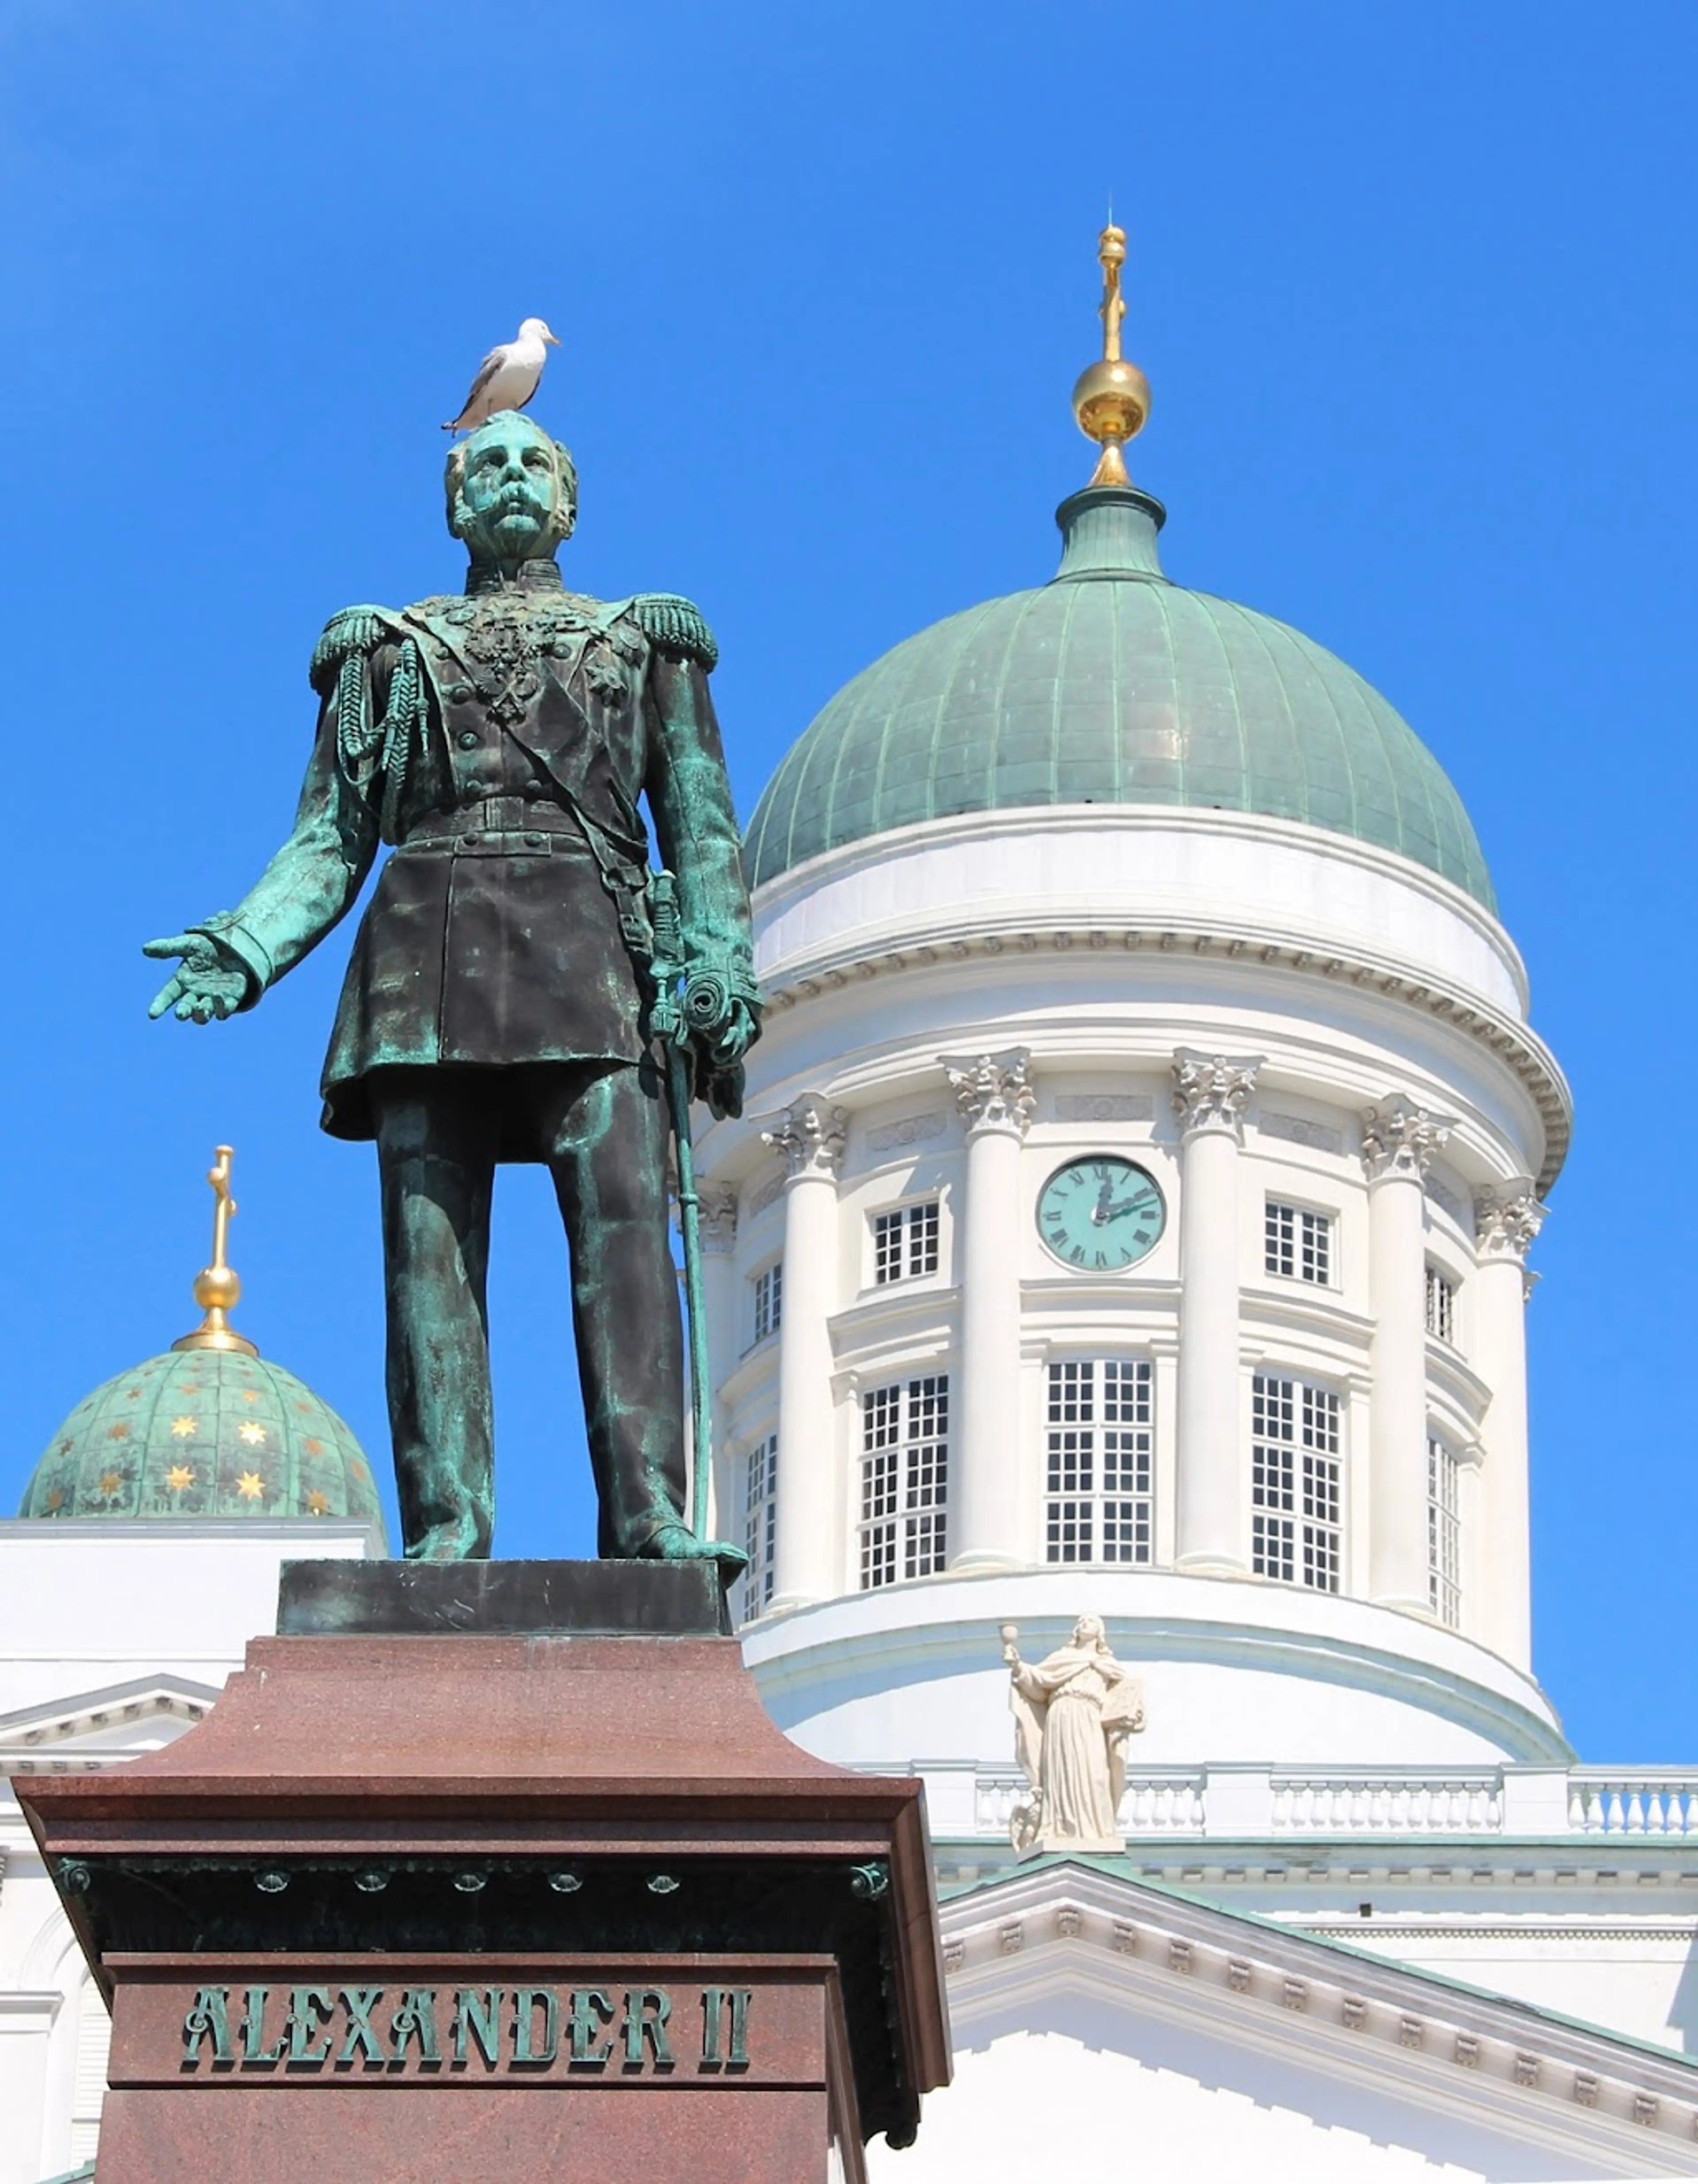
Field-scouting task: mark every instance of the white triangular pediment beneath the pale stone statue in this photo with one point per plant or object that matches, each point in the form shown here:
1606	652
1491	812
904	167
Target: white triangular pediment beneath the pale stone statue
1179	1993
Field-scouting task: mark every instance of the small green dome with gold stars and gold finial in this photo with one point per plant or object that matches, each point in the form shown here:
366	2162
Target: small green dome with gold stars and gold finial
209	1429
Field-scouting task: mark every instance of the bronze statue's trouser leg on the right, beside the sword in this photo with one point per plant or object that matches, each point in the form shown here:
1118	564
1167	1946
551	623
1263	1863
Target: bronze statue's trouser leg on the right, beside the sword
609	1161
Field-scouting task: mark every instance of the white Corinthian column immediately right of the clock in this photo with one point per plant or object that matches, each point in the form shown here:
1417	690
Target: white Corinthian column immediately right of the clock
1210	1095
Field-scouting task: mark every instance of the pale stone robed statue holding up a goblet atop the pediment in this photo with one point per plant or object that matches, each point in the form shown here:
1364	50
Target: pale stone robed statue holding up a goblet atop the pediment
1072	1718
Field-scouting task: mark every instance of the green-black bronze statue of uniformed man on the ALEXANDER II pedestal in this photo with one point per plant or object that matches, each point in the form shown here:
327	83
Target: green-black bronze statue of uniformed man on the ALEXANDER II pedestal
495	1006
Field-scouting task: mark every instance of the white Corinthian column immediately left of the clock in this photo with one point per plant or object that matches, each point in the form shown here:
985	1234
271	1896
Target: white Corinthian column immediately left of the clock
984	1521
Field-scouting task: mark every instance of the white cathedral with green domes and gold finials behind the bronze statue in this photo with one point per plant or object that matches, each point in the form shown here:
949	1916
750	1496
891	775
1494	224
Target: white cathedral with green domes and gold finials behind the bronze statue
1116	1290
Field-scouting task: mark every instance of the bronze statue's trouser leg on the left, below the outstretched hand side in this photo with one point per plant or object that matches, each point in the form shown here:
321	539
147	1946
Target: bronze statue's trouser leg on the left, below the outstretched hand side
436	1161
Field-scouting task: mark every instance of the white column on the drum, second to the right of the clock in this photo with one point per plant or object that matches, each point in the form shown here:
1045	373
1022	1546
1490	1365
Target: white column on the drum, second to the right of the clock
1398	1143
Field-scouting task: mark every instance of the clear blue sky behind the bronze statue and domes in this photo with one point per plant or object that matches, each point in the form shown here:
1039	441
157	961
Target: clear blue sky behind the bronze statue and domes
1415	294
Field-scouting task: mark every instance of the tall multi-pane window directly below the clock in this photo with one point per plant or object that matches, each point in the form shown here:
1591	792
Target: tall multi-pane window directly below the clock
1100	1460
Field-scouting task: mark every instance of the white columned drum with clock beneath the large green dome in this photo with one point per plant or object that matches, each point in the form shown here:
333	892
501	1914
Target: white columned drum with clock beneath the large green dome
1301	1377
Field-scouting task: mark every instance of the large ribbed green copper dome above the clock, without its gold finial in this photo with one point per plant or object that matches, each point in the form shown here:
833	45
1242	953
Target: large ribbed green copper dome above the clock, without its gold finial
1113	687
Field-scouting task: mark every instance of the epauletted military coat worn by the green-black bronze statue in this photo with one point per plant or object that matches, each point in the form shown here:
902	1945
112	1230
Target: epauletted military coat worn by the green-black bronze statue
502	744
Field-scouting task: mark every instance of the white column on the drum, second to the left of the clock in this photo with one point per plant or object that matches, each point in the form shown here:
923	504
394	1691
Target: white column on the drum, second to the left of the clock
810	1565
